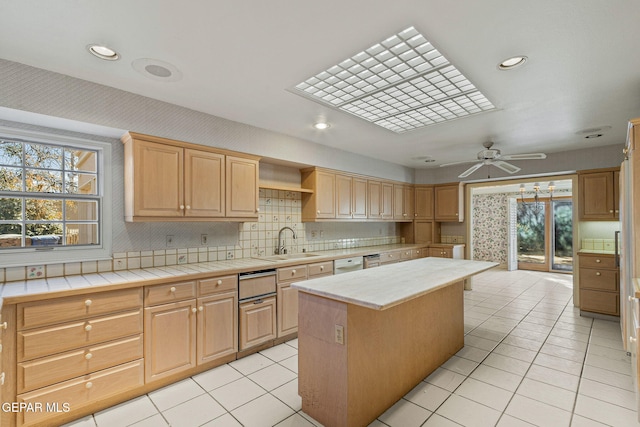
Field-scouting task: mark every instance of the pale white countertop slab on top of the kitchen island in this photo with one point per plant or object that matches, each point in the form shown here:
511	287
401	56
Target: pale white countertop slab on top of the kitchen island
384	287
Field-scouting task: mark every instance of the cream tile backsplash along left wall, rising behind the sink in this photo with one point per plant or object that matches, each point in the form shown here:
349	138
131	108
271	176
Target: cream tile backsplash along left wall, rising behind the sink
255	239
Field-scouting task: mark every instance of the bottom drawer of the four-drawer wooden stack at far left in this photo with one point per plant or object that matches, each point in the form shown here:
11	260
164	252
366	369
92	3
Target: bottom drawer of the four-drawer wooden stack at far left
81	391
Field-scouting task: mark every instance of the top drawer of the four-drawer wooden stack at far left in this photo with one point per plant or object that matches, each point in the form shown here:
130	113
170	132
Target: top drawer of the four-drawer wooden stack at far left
66	309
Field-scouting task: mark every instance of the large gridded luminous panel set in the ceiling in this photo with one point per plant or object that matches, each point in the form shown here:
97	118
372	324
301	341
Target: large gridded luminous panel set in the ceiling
401	83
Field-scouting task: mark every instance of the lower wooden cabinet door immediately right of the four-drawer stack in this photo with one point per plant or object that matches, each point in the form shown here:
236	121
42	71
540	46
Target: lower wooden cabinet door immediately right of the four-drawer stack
169	339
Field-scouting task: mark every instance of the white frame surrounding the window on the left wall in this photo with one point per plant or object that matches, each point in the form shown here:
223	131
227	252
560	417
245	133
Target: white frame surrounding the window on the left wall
62	254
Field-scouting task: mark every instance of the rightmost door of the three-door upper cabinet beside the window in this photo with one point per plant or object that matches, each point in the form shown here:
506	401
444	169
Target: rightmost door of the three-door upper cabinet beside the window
242	187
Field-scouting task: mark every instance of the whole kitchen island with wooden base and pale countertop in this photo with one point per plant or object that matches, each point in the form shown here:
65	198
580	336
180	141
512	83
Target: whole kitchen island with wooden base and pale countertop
366	338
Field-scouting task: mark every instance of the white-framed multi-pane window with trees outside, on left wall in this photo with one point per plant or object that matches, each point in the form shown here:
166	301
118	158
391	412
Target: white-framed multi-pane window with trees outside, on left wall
51	199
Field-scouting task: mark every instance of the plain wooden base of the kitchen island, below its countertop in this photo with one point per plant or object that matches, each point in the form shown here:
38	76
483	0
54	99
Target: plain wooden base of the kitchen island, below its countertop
388	352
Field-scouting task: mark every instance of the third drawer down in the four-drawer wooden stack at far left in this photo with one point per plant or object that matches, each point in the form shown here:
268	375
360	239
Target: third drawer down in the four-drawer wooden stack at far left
53	369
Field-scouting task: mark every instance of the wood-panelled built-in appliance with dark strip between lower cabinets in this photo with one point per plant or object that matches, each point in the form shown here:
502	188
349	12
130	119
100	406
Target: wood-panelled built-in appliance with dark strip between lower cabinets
256	307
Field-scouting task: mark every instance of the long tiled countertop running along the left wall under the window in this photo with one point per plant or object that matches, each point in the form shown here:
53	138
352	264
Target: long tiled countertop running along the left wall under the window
39	289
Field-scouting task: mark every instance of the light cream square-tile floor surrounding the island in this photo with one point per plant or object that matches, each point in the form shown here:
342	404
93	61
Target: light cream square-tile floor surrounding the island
529	360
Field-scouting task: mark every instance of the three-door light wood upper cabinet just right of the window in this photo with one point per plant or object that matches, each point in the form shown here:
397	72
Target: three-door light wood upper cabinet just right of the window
168	180
